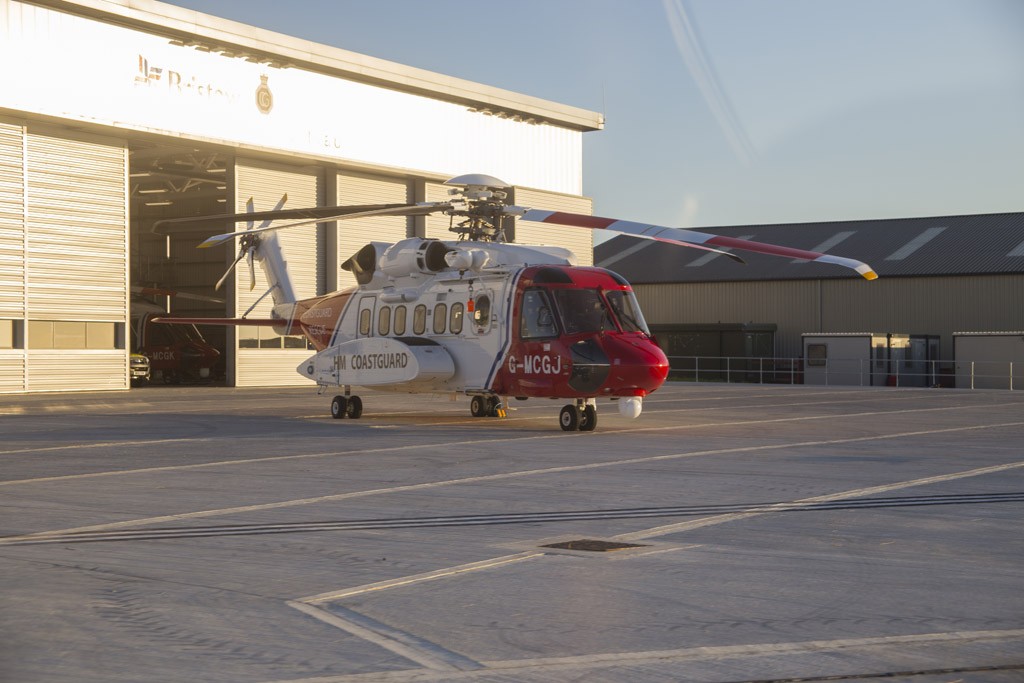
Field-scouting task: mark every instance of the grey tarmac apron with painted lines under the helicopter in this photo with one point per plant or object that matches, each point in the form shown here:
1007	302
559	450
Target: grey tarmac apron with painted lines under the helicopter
777	534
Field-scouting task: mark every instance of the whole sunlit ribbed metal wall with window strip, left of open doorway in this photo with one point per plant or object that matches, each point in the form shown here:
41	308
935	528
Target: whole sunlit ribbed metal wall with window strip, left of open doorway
64	246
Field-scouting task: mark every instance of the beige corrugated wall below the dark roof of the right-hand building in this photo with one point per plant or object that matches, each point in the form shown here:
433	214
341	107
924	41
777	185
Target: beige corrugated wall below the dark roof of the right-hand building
911	306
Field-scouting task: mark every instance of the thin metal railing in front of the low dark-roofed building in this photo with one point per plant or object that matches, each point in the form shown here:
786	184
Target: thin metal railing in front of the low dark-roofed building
849	372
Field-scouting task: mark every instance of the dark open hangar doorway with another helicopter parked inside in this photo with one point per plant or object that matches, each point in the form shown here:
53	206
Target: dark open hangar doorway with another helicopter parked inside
168	274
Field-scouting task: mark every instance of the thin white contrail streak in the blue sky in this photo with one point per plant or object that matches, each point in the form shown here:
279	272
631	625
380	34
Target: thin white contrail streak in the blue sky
685	32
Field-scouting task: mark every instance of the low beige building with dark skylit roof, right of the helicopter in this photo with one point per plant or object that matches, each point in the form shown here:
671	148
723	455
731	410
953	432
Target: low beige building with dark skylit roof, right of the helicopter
937	277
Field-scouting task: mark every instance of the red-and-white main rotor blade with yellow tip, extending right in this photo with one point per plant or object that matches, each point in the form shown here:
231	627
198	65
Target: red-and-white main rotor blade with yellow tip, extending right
687	238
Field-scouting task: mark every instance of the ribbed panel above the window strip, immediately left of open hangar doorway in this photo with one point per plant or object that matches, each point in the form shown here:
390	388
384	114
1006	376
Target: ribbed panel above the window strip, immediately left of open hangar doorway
78	229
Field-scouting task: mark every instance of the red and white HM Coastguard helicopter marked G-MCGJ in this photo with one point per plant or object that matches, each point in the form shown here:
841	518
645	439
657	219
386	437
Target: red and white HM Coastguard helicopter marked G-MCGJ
477	316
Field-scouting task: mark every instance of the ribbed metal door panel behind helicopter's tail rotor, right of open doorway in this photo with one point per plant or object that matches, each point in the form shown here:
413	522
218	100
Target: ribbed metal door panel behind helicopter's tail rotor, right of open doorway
304	248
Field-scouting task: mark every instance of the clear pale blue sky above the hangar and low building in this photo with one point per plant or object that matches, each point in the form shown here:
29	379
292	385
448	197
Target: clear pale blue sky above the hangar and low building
733	112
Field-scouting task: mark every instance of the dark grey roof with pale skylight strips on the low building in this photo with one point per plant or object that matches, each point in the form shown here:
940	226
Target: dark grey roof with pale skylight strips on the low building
987	244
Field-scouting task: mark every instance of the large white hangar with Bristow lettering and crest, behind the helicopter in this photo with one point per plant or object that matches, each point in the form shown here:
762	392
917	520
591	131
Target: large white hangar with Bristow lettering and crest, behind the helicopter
115	114
